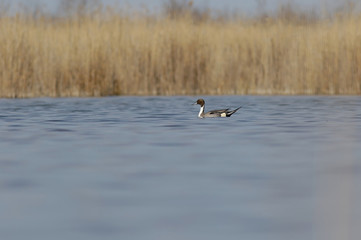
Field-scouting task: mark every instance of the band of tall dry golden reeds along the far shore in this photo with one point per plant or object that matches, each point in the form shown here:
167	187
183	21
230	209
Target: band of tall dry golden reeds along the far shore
112	54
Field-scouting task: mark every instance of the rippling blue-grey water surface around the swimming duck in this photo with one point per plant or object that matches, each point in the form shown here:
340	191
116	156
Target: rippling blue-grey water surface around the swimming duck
148	168
